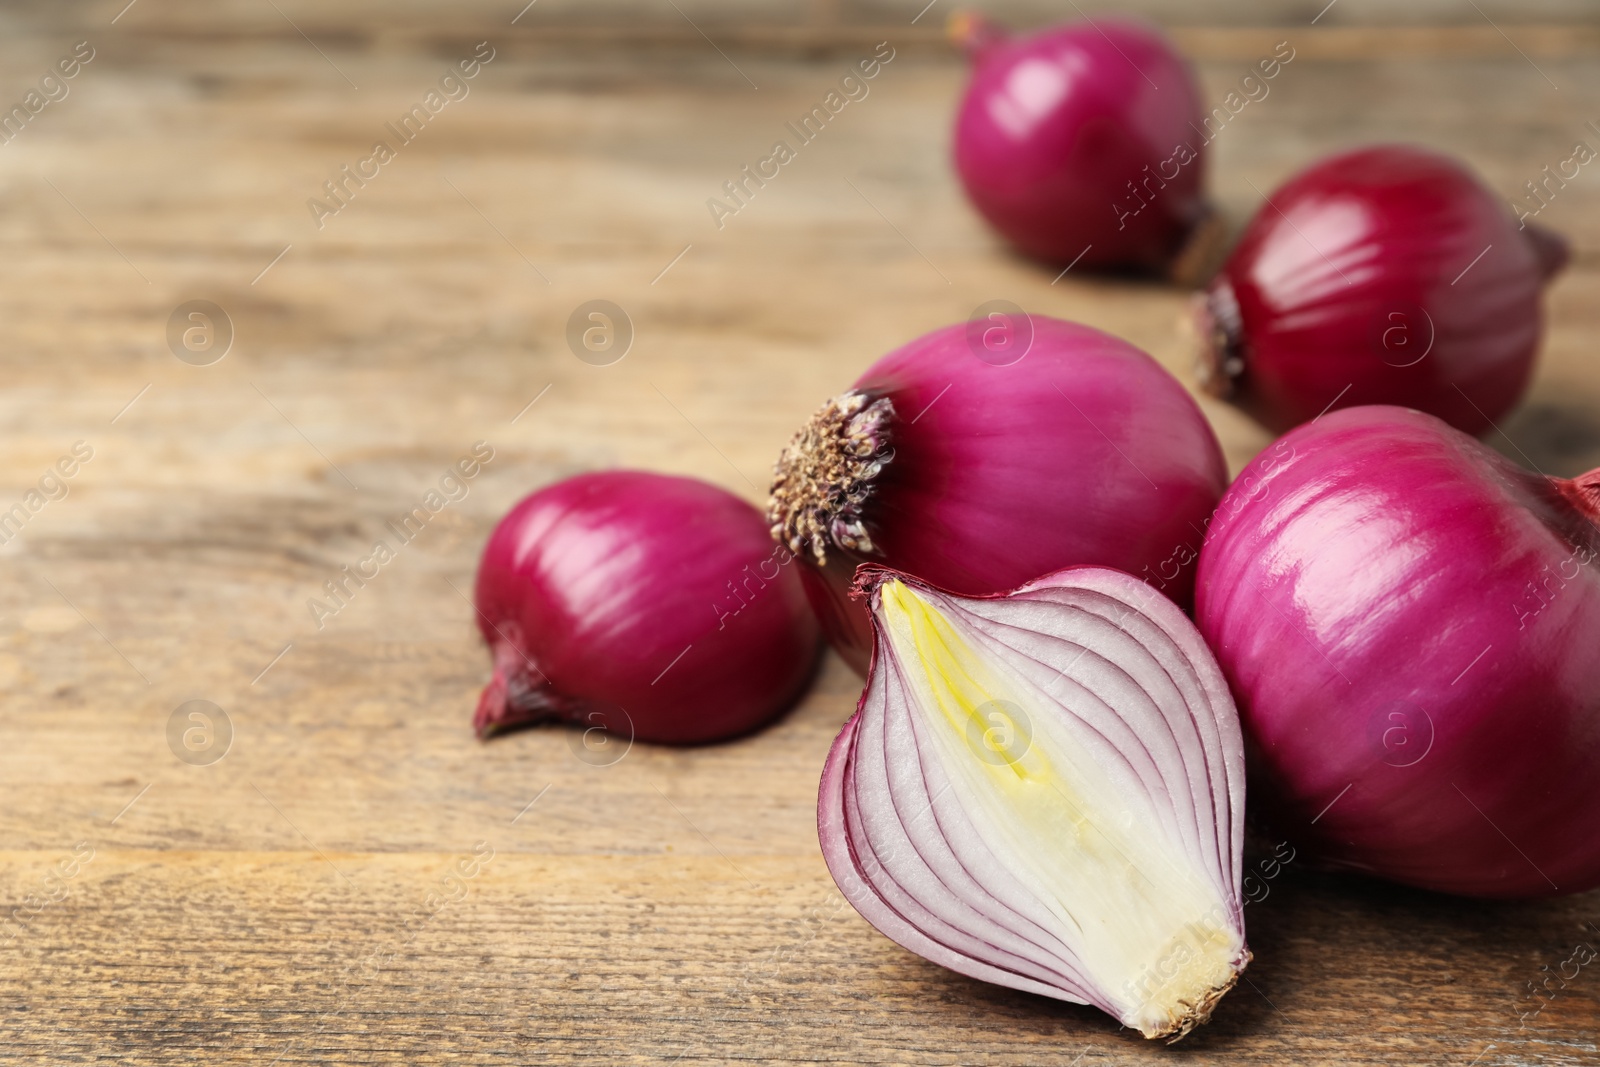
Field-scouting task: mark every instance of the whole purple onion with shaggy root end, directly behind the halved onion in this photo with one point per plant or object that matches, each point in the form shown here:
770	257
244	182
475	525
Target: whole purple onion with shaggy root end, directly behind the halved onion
980	476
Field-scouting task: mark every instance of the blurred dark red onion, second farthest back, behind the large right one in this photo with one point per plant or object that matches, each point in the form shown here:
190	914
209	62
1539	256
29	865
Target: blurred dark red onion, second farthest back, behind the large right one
1382	276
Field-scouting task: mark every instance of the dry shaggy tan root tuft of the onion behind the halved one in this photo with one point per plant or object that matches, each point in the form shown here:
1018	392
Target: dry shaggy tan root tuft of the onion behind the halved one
826	476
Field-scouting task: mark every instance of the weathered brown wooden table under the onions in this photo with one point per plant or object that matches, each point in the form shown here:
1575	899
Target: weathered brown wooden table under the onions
289	901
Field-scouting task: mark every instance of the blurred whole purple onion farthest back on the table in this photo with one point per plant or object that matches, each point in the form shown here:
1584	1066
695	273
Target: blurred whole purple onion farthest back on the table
1057	126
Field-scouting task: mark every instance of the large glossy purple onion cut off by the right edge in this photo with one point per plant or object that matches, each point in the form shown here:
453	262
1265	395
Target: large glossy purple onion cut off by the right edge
1409	623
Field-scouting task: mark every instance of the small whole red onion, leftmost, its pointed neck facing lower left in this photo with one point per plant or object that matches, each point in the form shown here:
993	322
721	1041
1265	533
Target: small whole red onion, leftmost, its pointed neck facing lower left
649	605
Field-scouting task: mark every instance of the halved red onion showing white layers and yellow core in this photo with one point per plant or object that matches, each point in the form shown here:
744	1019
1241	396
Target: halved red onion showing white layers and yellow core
1046	791
